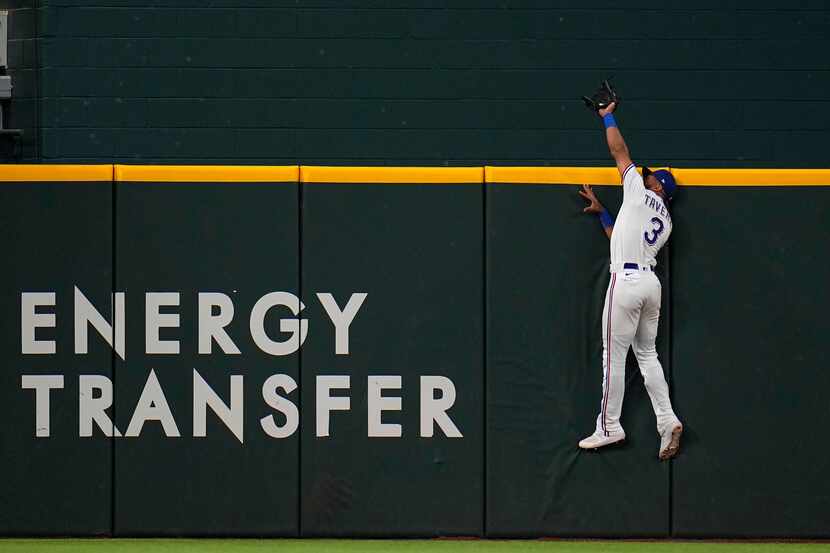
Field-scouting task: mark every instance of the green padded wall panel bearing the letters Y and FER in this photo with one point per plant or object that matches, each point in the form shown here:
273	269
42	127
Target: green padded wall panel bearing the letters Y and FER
416	250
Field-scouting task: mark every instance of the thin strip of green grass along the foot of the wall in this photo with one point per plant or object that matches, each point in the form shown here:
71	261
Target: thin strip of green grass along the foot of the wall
394	546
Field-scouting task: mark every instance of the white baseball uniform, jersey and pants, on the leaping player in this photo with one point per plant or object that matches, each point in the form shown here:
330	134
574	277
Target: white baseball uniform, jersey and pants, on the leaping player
632	304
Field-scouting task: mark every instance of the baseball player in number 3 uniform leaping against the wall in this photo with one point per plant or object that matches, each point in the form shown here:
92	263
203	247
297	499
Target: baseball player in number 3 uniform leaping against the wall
632	304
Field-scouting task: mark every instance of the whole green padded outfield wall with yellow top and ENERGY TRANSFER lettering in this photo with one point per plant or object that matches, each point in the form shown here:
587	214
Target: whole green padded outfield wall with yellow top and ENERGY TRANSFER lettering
350	351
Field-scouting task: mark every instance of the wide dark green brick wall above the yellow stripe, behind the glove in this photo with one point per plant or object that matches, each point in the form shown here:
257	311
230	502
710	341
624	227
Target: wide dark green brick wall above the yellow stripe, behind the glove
404	82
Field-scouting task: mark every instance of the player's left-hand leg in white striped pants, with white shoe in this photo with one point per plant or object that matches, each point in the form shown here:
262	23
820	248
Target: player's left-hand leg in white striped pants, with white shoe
619	324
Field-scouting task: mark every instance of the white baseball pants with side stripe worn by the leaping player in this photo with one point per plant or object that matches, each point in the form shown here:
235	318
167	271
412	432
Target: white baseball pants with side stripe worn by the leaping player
630	318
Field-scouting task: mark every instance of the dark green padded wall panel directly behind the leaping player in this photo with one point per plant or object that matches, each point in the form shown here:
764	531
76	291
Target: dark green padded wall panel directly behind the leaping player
547	275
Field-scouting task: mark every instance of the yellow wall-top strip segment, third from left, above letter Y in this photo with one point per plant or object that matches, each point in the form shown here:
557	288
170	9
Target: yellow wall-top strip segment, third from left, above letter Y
392	175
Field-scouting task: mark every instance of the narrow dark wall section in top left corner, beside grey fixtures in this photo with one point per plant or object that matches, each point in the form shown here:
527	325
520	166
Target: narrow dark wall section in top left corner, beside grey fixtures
23	109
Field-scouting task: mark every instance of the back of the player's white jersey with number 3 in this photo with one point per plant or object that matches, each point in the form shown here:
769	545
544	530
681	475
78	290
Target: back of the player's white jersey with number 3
643	224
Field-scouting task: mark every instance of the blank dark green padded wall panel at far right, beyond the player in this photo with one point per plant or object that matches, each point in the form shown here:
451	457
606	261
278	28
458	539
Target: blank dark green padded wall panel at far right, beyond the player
749	360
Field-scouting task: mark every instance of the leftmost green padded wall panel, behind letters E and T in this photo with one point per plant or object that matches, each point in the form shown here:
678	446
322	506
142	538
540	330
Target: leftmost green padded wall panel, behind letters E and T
55	236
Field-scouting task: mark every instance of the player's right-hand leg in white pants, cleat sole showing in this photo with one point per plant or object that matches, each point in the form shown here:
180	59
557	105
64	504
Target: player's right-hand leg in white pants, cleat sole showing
645	350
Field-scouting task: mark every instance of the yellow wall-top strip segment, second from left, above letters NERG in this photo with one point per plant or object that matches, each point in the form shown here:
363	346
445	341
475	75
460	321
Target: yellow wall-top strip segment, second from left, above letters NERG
207	173
